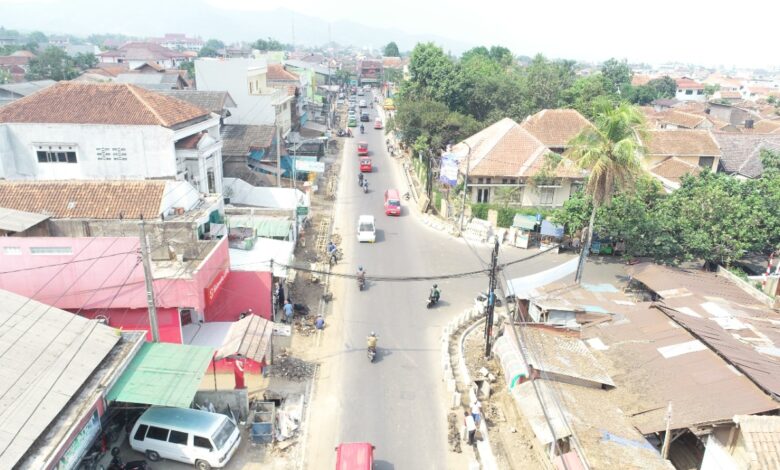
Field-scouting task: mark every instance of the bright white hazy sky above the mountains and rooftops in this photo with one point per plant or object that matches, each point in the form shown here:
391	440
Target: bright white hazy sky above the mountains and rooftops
711	32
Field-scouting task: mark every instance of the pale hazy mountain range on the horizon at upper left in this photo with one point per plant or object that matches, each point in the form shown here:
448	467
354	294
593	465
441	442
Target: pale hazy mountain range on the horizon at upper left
148	18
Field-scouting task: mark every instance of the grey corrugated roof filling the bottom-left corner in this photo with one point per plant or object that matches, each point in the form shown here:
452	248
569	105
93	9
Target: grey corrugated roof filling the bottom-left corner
46	355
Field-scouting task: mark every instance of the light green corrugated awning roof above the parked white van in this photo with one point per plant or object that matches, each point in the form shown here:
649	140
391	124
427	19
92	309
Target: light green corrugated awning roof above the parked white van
163	374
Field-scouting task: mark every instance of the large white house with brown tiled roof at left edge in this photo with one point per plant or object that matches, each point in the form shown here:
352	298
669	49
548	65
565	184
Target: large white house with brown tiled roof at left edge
90	131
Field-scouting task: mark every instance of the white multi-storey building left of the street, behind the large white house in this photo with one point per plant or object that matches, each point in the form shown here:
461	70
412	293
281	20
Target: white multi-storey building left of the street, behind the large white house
246	81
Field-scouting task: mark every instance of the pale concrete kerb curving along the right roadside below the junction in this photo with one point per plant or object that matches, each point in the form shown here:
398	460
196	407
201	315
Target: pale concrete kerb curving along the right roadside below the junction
473	319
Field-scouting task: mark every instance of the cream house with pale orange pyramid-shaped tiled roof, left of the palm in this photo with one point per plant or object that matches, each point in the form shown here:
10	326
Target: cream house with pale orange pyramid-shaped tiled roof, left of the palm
506	164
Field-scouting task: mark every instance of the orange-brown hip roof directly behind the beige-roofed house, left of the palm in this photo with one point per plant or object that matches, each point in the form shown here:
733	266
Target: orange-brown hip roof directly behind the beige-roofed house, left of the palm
555	128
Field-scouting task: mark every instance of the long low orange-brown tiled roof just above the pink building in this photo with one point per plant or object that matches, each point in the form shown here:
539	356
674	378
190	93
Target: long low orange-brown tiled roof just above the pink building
85	199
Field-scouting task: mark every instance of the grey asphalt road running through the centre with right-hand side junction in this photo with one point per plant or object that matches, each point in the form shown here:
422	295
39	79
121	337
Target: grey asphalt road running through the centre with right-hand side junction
398	402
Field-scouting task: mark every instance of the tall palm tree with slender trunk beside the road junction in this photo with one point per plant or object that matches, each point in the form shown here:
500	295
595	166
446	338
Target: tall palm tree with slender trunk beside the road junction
611	151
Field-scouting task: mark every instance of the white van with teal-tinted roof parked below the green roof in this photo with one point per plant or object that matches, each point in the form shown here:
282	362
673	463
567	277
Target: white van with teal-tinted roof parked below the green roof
204	439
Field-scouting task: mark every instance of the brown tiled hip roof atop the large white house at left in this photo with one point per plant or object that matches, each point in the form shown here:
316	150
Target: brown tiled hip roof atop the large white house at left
101	103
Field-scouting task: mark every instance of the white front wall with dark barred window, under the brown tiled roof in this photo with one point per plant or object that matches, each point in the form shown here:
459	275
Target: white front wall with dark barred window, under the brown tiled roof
142	151
